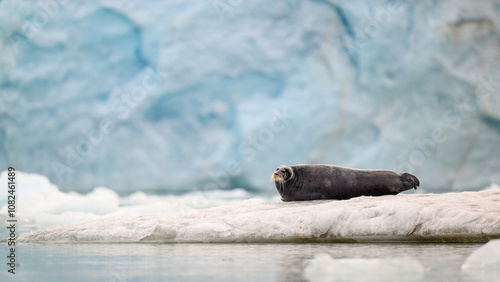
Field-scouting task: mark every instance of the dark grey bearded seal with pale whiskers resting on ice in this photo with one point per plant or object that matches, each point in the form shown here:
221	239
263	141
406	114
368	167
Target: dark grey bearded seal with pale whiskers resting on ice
316	182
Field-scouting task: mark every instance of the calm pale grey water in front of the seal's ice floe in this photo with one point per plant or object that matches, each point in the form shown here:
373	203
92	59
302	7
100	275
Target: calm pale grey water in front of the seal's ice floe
226	262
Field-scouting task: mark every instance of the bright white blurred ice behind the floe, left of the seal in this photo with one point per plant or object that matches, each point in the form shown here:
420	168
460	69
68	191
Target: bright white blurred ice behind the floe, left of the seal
40	203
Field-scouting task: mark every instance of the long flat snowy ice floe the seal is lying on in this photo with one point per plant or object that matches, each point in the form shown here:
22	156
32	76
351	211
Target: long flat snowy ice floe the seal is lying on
450	217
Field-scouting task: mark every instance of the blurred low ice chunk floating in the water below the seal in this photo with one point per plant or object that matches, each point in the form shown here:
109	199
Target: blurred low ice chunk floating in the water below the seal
325	268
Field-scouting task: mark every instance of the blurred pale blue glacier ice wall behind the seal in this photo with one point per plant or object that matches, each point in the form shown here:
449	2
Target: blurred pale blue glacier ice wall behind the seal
181	96
